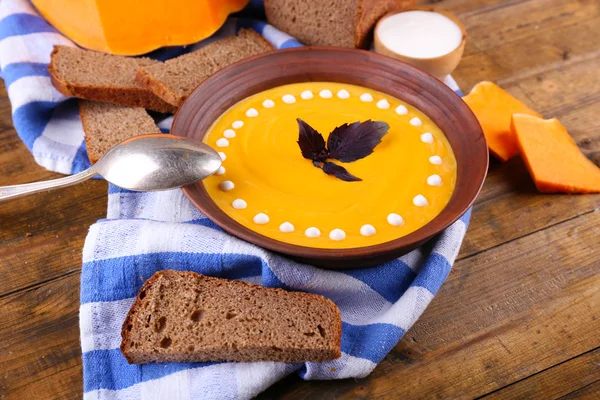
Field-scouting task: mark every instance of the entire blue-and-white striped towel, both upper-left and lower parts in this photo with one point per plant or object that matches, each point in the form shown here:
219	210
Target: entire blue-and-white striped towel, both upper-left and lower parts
147	232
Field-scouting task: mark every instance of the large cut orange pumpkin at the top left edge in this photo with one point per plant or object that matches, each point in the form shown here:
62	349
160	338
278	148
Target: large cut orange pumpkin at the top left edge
132	27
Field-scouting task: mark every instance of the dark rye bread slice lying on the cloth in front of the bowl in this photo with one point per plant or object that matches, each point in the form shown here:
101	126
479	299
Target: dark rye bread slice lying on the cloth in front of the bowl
188	317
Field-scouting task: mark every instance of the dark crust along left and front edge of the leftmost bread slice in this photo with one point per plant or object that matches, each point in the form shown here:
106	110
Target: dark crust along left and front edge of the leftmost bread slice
129	96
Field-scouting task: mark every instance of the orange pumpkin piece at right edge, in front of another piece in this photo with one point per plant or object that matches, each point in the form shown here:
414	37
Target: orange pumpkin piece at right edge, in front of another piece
554	161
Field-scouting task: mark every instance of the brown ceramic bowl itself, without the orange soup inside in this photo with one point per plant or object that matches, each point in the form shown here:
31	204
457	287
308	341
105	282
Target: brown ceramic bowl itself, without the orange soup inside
222	90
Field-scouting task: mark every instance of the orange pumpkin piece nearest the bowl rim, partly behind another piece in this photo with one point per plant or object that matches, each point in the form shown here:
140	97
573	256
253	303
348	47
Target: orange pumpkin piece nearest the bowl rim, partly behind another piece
494	108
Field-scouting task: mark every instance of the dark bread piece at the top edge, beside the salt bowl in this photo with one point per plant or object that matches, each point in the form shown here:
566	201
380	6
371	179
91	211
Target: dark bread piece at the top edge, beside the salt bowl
343	23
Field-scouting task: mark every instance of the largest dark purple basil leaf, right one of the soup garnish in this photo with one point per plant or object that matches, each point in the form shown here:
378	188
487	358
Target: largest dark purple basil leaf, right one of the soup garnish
348	143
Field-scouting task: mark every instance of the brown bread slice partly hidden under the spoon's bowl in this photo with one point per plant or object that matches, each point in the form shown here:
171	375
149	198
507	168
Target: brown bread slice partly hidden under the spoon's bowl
106	125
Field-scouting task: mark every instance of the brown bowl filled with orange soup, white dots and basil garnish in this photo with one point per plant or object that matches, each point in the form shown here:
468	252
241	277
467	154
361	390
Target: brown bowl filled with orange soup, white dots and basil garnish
339	158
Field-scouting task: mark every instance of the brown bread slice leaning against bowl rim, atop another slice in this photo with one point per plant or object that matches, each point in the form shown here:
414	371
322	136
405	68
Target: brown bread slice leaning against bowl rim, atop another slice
175	79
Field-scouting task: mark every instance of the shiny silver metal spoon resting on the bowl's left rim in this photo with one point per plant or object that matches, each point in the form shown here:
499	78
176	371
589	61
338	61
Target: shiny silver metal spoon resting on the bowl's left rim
143	163
